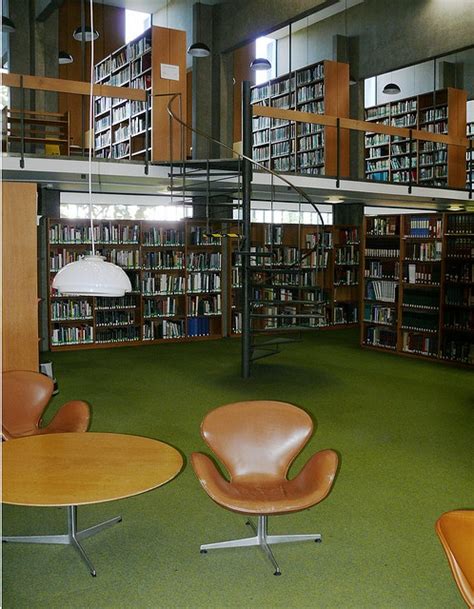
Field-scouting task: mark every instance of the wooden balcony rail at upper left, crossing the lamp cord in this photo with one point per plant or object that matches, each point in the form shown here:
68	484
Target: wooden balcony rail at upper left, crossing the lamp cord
71	86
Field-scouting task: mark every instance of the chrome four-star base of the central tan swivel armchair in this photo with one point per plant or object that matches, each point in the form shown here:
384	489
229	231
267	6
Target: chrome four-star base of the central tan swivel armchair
262	540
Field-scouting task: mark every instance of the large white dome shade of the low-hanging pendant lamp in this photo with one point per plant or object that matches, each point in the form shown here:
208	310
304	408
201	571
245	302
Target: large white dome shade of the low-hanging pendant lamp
92	276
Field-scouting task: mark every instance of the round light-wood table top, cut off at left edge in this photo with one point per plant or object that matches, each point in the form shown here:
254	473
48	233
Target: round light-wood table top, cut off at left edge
82	468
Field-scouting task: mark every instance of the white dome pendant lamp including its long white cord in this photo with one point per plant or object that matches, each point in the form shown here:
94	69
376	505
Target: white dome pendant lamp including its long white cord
92	275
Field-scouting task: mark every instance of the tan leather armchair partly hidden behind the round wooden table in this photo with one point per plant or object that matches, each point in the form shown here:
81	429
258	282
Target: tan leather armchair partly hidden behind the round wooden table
26	395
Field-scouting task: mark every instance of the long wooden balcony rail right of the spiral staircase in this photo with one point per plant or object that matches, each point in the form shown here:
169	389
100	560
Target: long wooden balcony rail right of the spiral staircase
357	125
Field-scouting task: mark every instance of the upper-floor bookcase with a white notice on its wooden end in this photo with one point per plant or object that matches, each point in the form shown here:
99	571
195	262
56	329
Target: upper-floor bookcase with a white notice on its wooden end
121	126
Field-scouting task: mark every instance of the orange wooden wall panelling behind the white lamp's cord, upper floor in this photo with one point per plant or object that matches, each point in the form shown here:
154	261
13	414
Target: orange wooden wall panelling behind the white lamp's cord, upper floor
109	21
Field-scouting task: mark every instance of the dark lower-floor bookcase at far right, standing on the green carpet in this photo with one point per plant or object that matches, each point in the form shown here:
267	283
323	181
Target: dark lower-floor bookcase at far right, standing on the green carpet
418	294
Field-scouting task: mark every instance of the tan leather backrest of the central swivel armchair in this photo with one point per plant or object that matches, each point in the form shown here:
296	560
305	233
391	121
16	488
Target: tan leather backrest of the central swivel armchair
257	438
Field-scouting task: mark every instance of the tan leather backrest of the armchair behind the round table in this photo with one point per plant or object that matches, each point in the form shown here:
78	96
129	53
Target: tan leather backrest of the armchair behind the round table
25	396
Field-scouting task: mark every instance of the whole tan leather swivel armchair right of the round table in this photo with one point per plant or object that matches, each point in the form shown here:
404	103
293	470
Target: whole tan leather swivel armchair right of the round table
256	442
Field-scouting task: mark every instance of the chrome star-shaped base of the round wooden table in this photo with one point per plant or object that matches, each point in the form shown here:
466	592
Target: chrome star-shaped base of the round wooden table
72	537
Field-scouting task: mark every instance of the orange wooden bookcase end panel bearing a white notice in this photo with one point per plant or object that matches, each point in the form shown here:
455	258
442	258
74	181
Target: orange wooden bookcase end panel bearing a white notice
168	47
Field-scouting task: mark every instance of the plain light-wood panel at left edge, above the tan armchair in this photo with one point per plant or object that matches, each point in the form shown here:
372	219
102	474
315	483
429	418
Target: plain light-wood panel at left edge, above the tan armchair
19	281
